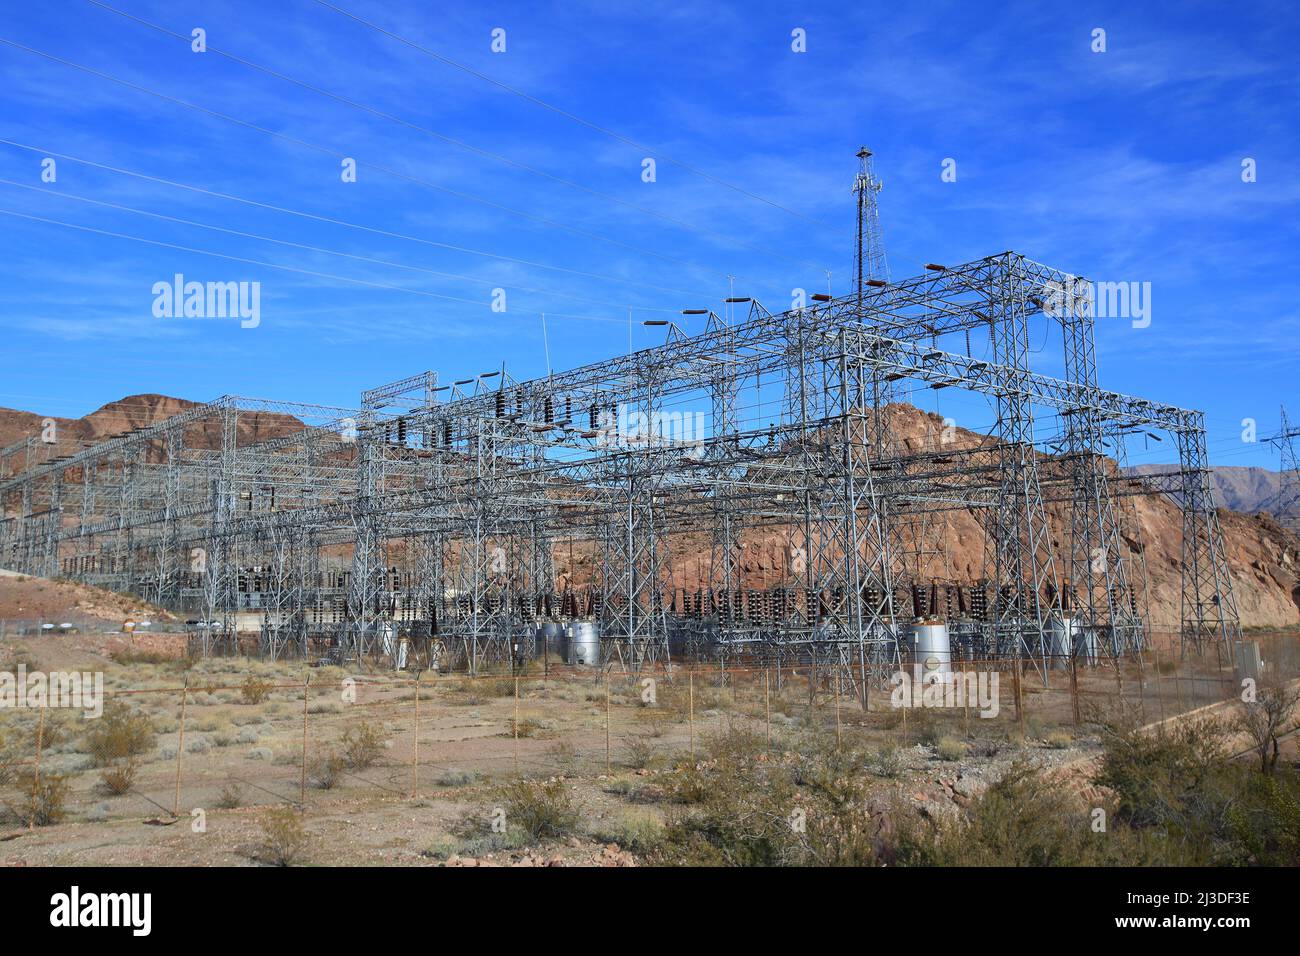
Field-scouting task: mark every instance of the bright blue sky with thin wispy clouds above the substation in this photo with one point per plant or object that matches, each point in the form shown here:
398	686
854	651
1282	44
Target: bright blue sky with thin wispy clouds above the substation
1124	166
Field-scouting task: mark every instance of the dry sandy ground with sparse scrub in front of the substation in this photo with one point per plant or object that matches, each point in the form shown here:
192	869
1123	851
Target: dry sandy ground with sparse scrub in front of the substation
434	788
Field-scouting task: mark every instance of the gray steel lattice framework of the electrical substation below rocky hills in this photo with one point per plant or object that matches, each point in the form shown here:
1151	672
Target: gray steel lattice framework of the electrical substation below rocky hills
437	513
